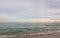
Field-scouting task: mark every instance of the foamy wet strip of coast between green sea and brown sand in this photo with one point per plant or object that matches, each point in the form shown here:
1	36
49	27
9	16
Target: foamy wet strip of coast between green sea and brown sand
31	34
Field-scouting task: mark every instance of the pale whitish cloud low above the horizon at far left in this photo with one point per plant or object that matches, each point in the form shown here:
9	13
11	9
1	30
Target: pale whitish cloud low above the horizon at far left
6	18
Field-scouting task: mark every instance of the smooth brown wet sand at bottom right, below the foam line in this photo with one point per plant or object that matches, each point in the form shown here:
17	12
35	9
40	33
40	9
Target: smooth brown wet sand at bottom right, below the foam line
53	35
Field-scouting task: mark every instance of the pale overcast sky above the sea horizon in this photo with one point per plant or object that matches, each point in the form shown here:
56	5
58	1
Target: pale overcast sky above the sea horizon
27	10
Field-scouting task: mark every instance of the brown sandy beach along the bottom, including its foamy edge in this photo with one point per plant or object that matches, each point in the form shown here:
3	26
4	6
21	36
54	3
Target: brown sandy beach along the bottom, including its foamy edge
35	35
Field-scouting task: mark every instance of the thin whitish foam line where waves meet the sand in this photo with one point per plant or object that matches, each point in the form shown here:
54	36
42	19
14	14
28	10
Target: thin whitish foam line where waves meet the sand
31	34
